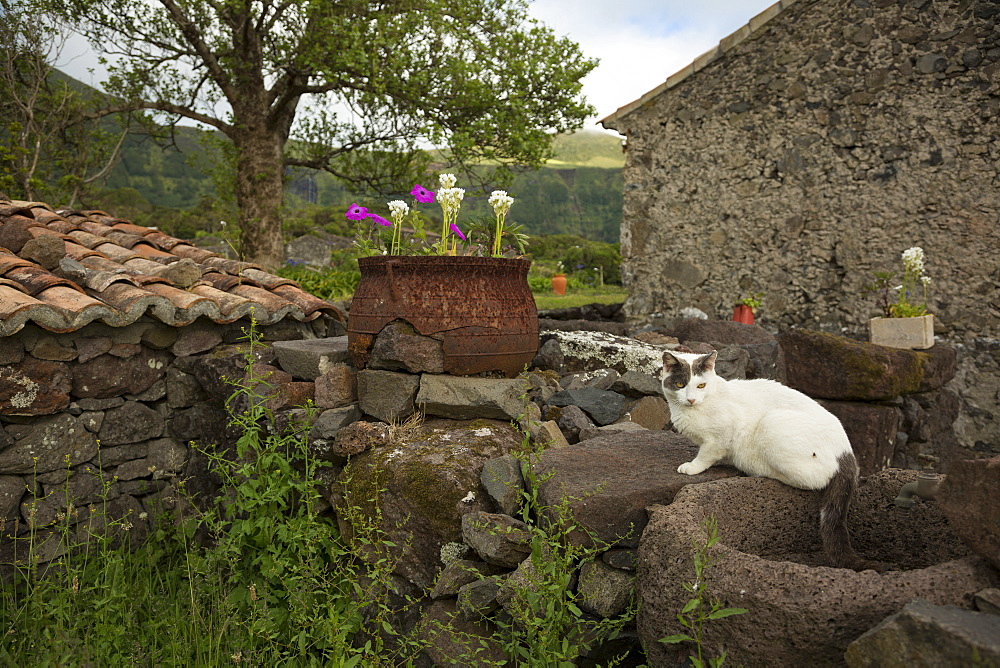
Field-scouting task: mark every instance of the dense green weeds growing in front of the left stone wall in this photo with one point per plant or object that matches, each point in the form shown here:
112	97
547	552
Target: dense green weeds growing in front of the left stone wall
258	576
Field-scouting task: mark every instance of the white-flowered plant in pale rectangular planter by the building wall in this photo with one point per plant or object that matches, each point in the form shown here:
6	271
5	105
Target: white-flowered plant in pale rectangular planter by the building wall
905	322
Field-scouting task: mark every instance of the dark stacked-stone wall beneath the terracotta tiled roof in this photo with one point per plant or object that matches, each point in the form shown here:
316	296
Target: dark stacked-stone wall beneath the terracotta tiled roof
96	425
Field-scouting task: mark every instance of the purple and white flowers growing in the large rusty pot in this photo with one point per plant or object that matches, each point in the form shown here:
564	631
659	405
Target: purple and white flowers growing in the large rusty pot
483	237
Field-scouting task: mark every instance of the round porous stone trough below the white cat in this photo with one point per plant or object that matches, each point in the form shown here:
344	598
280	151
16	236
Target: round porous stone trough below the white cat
771	562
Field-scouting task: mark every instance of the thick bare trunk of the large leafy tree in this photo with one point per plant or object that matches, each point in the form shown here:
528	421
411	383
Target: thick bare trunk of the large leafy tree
259	189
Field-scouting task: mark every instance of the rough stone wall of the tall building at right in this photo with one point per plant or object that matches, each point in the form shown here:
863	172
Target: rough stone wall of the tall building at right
805	153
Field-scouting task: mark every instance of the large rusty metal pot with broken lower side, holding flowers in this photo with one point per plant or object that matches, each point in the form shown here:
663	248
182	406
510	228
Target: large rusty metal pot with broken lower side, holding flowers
481	308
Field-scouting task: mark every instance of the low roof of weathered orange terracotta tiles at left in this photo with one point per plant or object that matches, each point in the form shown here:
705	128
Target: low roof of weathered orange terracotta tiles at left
116	272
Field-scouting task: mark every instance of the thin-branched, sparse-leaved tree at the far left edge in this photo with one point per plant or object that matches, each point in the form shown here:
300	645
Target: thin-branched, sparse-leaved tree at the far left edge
51	148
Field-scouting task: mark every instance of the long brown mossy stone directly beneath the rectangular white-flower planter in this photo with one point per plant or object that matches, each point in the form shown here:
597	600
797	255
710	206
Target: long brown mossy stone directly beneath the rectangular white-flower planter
828	366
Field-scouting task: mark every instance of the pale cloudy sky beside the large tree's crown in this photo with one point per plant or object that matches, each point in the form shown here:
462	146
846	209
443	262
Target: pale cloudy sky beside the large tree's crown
639	42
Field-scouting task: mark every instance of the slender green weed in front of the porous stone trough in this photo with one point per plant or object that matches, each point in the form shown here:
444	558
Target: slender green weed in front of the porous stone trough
699	610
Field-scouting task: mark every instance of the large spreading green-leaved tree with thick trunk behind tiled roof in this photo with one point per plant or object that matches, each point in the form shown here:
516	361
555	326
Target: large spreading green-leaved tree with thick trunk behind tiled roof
358	86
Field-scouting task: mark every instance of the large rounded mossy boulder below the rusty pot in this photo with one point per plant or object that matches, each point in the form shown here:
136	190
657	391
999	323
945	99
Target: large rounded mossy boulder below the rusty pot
416	490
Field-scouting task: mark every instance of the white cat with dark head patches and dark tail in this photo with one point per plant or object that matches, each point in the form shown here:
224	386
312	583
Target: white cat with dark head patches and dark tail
765	429
